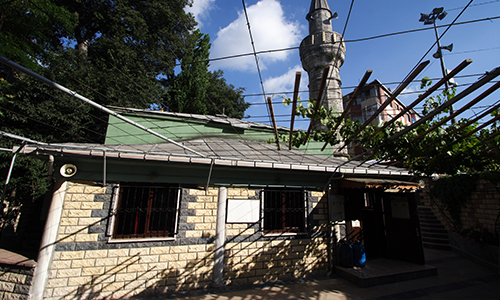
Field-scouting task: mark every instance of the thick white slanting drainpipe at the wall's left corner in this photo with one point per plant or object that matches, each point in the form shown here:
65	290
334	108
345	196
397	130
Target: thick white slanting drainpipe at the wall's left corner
49	237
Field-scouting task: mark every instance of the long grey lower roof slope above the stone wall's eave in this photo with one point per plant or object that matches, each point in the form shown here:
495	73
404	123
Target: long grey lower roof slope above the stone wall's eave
225	152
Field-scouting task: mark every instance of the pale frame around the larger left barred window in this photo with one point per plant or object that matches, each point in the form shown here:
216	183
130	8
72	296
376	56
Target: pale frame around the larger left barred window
114	218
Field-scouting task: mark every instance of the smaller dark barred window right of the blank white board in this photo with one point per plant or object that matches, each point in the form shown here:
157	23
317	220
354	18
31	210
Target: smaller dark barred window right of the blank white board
284	211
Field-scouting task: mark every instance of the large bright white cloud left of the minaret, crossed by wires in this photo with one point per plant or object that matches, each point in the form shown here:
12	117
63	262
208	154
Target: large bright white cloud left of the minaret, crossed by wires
270	30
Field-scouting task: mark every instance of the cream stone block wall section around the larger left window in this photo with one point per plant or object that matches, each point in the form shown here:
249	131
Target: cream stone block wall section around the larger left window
85	264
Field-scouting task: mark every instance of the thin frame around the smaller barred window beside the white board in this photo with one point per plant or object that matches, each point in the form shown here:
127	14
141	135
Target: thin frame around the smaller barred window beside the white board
284	231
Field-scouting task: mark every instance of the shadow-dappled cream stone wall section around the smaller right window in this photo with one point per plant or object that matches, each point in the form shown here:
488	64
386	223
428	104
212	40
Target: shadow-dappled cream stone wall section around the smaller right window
253	257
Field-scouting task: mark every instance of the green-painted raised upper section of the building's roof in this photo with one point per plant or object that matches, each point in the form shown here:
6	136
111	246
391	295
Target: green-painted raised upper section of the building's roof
184	127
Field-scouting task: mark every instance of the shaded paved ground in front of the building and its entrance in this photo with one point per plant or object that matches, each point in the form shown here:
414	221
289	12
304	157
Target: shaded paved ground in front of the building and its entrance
458	278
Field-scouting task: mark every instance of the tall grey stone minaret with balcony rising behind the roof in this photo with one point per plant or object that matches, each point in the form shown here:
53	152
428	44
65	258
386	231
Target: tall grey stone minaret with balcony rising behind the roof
320	48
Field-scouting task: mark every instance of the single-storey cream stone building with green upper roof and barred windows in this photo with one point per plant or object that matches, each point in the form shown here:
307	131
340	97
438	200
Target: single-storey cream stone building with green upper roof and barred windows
128	218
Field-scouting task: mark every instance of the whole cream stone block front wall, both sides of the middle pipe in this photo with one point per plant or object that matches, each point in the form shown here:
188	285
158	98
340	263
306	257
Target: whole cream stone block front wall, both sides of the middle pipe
87	265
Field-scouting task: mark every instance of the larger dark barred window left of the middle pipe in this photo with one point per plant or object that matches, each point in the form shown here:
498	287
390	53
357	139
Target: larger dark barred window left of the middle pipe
146	211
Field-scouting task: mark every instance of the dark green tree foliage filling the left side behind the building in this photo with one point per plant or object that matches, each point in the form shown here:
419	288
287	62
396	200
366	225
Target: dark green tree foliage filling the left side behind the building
114	52
